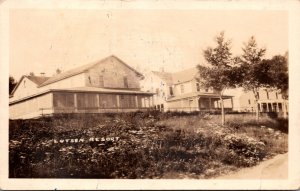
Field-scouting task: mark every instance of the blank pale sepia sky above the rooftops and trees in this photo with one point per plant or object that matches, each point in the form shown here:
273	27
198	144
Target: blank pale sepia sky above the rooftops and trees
43	40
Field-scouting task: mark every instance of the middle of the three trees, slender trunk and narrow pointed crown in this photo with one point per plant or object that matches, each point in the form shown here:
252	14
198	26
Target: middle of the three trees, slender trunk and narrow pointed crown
254	72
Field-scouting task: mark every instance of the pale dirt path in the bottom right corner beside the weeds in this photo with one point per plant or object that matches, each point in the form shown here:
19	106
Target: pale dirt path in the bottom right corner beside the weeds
275	168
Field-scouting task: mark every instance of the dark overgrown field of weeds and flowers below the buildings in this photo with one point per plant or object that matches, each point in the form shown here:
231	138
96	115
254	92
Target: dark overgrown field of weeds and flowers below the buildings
149	145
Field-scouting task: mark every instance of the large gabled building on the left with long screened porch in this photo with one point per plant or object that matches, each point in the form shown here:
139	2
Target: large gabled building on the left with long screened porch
108	85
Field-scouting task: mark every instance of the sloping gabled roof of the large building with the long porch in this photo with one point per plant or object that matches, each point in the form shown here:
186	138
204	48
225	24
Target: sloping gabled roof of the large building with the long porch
82	69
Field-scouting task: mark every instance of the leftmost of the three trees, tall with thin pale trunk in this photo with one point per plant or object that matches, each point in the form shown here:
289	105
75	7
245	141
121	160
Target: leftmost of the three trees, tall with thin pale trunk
218	73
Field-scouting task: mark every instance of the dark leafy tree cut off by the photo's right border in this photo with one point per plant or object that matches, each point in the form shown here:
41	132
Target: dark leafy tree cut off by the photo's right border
278	72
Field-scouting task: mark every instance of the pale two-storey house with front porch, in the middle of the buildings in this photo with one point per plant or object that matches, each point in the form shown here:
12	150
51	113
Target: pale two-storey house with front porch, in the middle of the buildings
180	91
